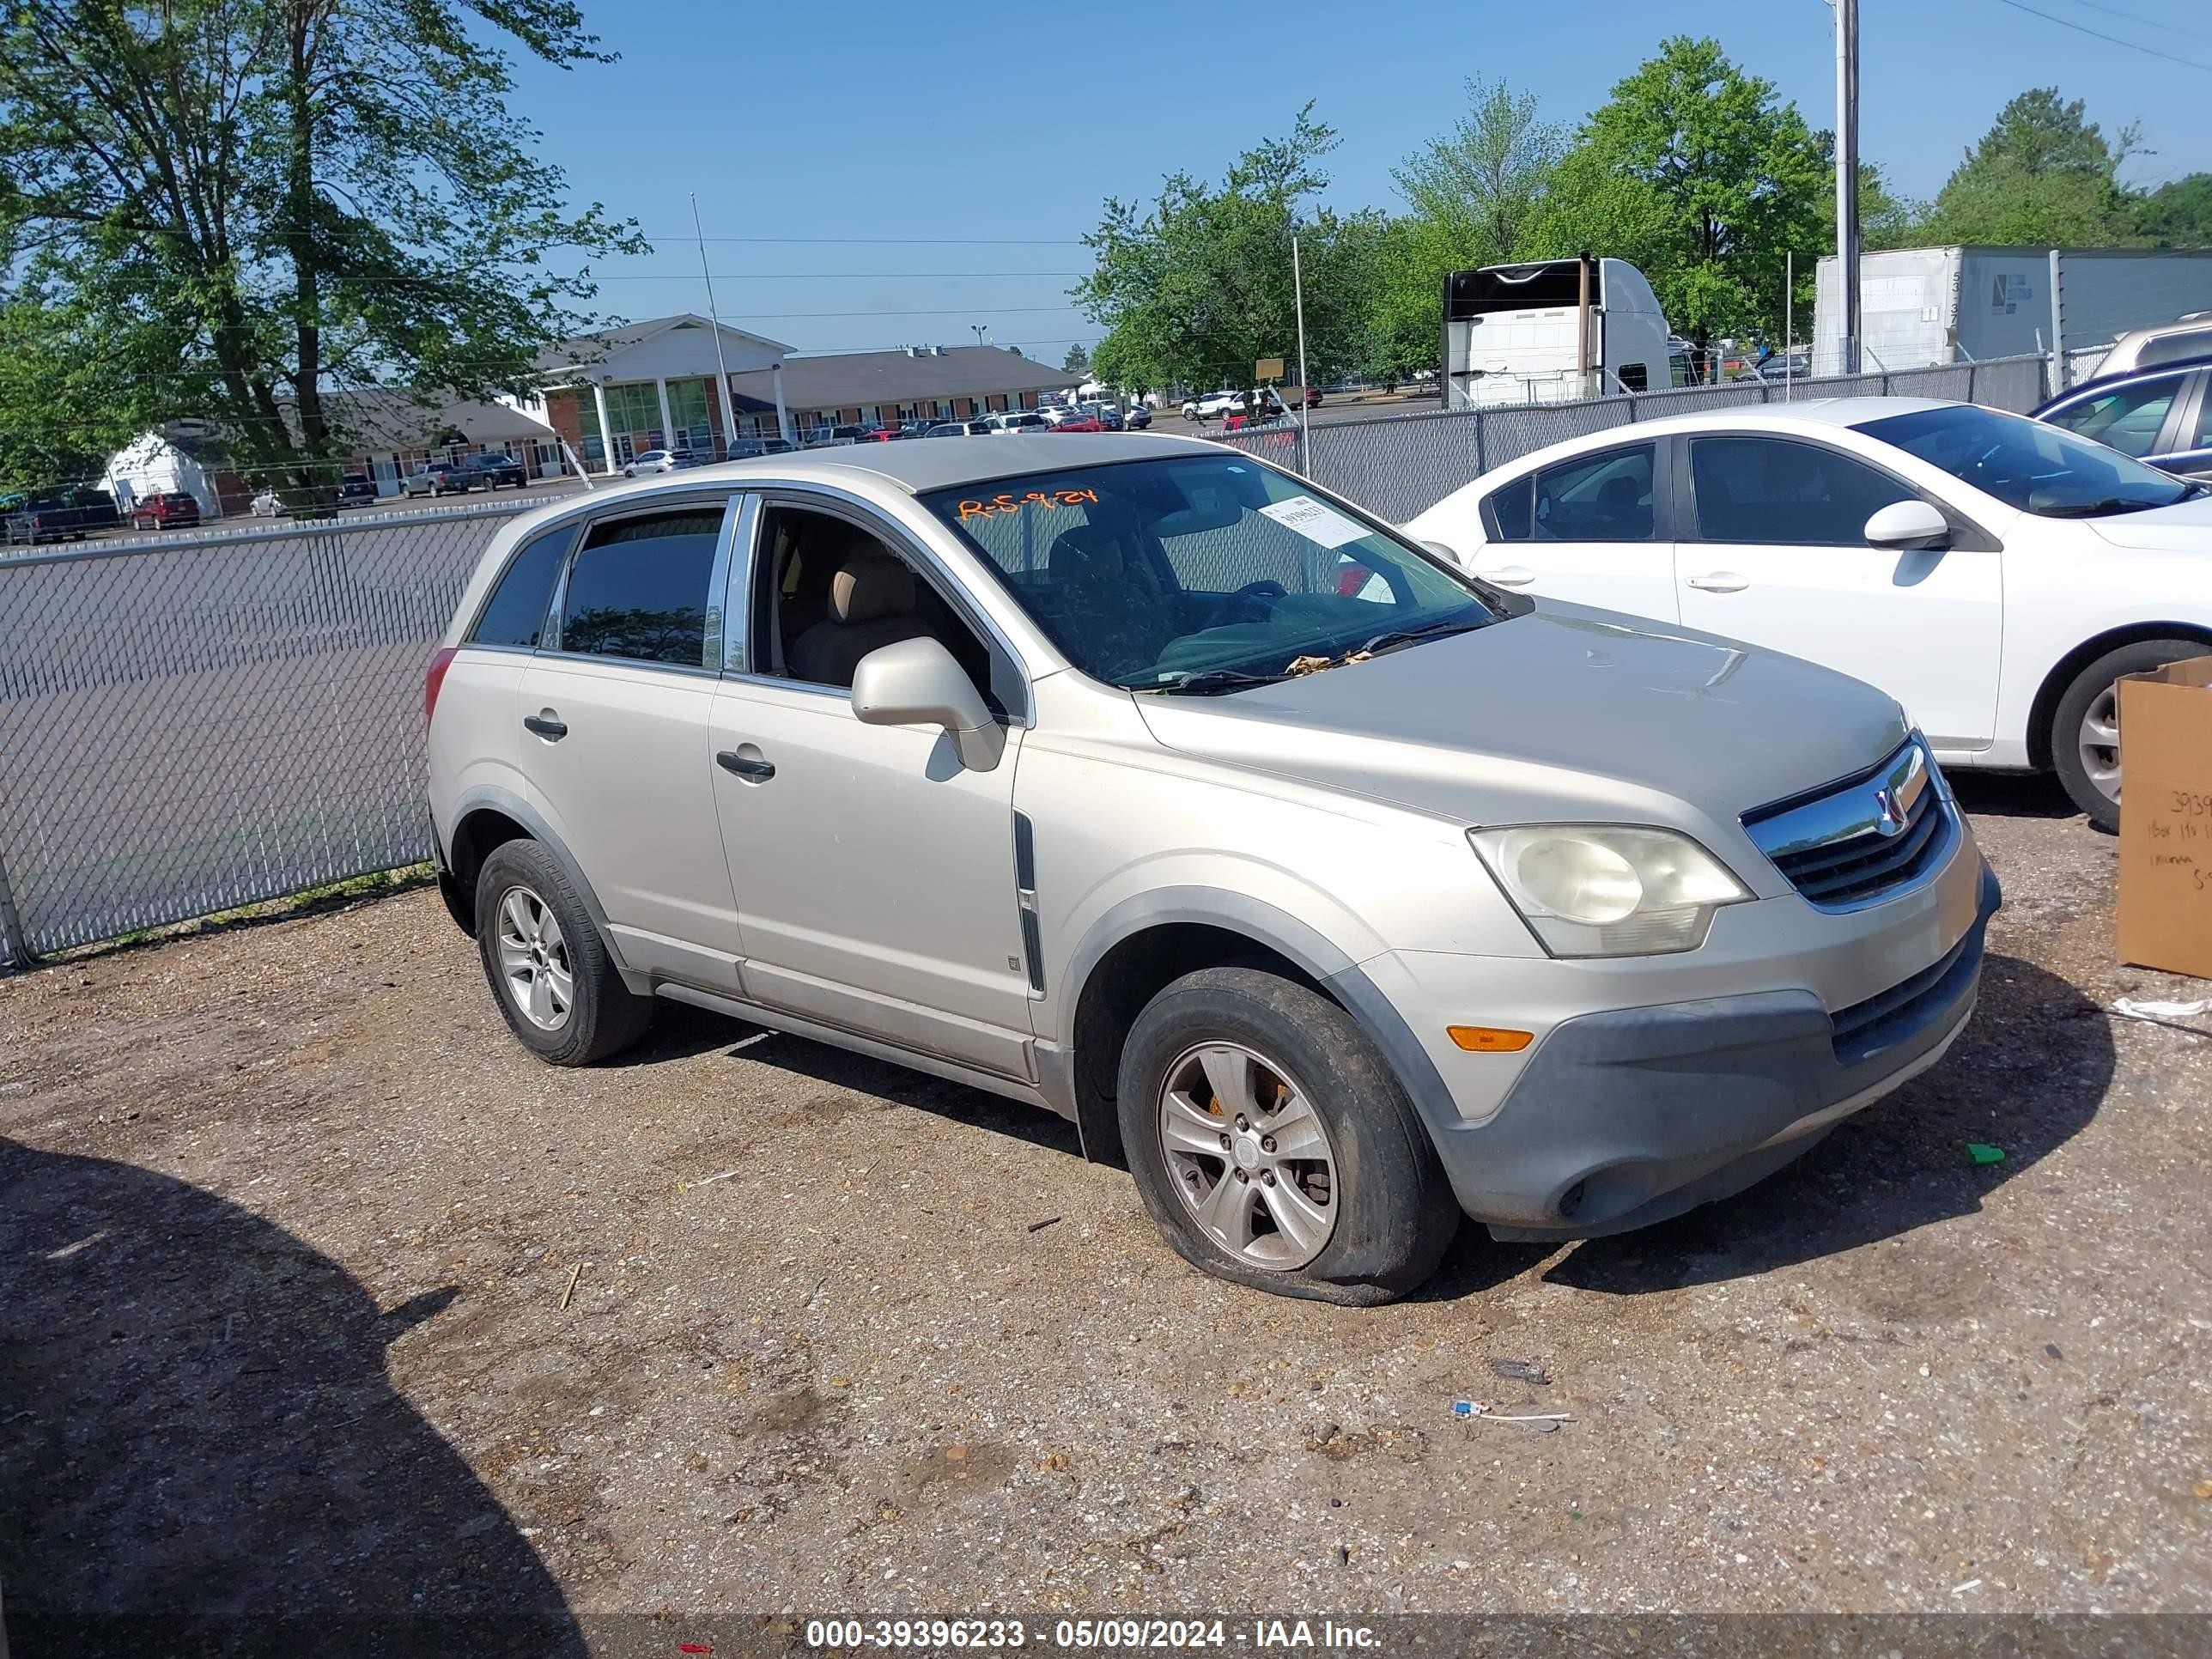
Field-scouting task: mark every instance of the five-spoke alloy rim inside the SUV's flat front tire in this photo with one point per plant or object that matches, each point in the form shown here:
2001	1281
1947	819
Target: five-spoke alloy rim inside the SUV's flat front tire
1249	1156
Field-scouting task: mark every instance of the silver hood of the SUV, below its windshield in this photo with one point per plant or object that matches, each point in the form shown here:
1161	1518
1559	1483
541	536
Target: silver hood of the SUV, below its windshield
1558	713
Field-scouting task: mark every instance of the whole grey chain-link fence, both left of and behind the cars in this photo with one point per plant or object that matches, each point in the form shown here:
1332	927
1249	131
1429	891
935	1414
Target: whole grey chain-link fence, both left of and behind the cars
205	722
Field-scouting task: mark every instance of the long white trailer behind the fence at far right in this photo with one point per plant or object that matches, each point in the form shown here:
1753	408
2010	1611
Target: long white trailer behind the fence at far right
1921	306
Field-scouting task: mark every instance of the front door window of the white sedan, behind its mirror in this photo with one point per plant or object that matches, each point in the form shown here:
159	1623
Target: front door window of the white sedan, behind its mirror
1782	492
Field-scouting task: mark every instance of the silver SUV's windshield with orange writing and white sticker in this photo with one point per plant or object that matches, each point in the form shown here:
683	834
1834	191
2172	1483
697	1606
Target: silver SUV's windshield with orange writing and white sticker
1200	574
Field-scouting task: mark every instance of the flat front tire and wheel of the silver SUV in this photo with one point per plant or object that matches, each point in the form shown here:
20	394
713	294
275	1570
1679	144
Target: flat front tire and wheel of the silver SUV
1275	1149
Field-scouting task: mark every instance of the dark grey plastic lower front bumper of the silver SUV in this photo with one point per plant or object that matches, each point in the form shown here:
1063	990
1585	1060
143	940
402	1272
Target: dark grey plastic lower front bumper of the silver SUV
1631	1116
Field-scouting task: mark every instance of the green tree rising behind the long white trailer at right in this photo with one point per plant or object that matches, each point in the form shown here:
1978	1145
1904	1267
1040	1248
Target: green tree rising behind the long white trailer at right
2043	176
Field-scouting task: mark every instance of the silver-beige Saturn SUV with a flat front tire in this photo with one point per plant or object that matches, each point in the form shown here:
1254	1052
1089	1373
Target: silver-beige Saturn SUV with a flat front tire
1328	890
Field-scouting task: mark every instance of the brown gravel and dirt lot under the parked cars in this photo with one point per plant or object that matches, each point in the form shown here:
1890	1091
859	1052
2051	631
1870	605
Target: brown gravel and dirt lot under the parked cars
322	1302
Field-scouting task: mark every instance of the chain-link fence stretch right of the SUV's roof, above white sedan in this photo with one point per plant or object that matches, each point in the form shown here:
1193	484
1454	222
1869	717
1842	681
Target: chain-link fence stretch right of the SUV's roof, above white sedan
1401	466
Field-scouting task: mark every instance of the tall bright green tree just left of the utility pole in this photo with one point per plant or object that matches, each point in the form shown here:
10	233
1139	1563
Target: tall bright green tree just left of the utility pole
1702	178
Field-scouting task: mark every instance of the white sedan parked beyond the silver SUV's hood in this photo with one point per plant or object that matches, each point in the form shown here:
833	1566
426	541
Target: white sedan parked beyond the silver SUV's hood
1996	576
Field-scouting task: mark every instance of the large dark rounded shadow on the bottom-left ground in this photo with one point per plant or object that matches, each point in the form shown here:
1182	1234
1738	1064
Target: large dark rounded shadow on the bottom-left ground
202	1452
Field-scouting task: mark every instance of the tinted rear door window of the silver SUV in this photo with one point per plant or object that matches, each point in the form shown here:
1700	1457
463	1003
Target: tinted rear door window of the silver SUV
640	589
